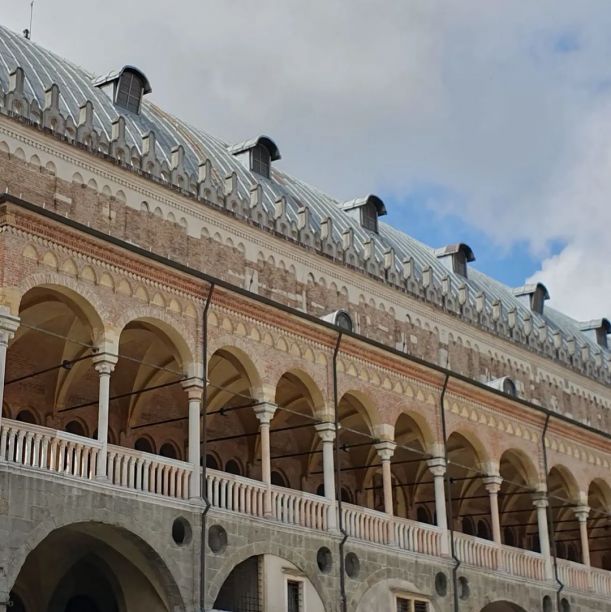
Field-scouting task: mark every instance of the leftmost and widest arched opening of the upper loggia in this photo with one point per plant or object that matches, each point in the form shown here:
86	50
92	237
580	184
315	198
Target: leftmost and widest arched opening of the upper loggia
49	371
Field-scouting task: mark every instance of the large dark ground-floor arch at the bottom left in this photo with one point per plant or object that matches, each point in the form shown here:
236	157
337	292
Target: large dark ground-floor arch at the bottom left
94	567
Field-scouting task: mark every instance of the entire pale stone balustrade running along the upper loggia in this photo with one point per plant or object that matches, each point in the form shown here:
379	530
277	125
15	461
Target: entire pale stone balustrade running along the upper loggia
66	454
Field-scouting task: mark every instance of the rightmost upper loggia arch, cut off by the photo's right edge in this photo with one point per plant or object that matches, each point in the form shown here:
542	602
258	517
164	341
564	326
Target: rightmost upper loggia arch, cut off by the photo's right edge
599	524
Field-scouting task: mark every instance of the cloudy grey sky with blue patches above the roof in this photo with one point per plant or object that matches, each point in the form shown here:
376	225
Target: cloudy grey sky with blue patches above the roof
480	122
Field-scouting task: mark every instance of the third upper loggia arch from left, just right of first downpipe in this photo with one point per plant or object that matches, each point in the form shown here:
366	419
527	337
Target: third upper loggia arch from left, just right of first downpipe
232	425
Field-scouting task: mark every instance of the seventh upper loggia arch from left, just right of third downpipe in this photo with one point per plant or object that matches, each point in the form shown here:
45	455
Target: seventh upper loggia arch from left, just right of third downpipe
470	500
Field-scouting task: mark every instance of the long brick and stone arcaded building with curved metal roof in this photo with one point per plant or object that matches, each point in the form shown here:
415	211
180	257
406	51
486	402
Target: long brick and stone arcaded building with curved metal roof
224	389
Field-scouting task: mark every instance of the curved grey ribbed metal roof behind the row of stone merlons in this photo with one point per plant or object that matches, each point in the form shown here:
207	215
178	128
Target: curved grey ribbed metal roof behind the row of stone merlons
76	86
